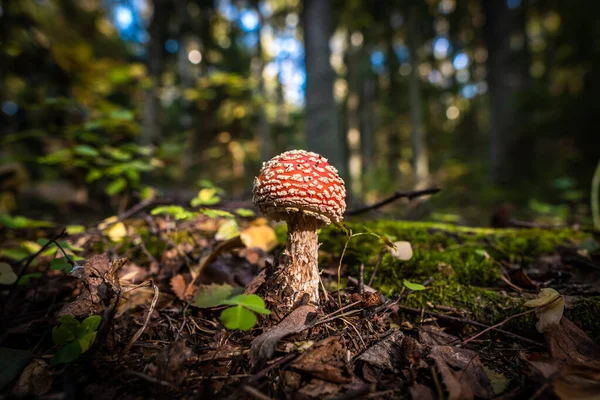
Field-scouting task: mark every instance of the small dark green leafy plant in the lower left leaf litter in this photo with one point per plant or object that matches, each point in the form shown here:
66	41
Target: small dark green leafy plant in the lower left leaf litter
73	337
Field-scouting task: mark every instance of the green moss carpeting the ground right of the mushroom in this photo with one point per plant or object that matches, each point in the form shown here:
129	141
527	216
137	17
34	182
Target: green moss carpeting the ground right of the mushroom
460	263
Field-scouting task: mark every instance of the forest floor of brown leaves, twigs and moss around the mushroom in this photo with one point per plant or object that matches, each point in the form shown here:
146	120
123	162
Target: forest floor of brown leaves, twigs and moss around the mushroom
408	310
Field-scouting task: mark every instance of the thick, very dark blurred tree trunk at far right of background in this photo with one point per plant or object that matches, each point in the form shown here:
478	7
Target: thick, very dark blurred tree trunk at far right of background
508	74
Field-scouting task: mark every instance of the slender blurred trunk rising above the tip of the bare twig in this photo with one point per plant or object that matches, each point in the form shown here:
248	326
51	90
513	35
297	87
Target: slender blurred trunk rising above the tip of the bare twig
420	158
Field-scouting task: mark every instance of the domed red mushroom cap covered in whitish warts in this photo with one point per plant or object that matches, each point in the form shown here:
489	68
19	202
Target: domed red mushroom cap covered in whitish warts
300	181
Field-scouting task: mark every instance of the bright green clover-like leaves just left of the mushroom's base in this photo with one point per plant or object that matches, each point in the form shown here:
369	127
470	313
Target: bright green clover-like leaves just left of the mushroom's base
241	315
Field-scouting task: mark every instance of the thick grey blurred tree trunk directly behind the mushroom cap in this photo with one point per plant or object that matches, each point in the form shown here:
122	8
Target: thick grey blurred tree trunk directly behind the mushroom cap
321	123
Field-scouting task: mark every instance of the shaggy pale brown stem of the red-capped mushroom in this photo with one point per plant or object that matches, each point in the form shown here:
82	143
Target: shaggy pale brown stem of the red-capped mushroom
300	260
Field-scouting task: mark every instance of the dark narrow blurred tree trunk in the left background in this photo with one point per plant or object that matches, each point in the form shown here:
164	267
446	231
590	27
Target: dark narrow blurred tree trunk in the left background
152	108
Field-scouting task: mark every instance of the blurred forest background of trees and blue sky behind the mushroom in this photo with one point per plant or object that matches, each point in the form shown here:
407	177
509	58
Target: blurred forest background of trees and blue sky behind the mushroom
106	102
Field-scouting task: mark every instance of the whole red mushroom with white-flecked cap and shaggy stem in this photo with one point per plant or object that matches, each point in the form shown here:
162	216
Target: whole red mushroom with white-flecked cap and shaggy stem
303	189
